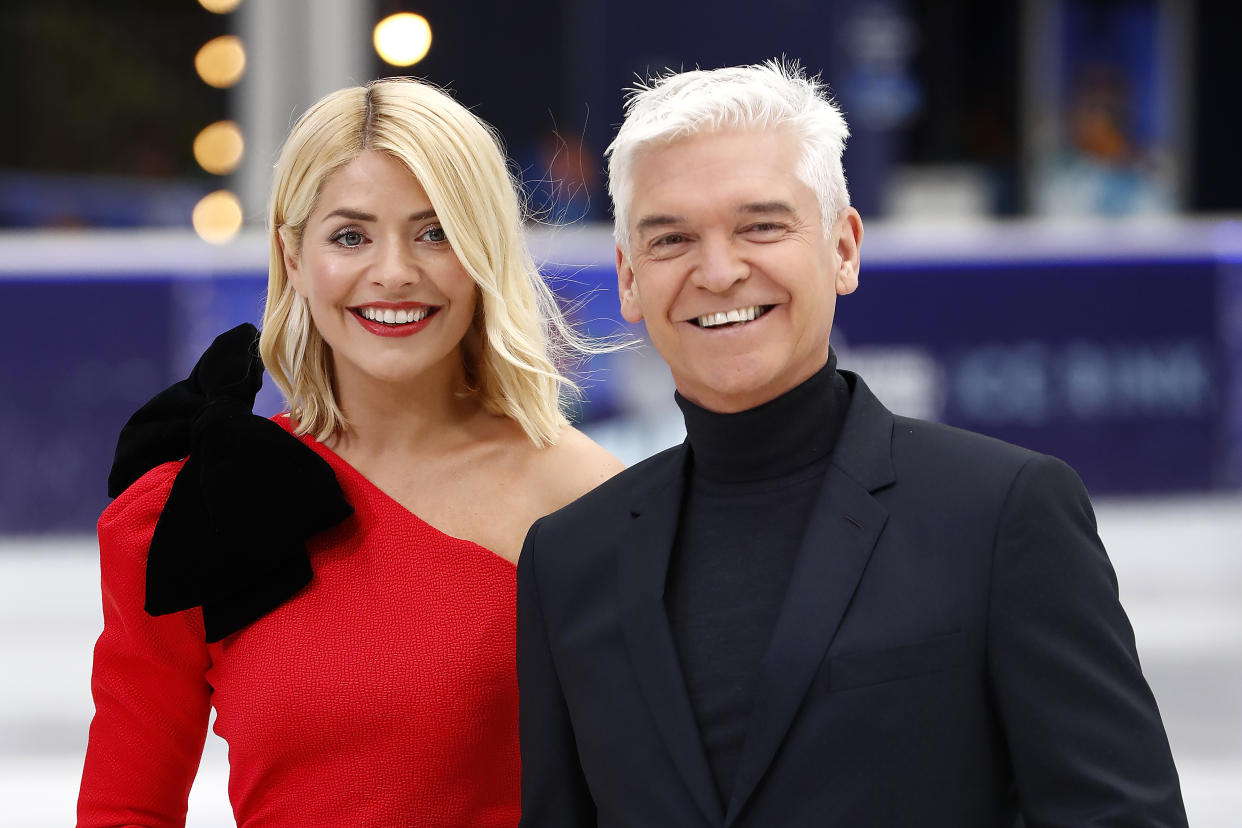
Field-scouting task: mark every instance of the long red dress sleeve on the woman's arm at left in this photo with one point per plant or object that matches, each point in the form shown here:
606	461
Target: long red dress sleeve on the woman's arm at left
152	698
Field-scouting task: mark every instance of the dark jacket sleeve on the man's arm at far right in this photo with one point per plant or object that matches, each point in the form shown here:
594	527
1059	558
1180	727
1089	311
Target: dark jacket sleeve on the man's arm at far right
1084	731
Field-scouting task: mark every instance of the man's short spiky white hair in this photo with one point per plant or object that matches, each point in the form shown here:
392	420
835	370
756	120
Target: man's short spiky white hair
777	94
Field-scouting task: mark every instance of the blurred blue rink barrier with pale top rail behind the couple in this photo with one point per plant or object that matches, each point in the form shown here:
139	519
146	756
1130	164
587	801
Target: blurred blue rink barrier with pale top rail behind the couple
1118	351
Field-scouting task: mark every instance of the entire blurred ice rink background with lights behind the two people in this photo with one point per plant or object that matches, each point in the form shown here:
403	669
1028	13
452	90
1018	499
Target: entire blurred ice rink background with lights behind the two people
1054	256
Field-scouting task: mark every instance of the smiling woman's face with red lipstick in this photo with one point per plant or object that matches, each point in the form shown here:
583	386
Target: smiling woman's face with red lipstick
384	287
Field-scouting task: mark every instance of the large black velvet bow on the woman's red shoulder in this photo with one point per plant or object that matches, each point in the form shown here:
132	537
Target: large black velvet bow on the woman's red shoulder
233	534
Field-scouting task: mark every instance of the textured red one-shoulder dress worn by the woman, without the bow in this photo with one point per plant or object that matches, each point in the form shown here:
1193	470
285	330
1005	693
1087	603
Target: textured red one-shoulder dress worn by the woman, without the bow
383	695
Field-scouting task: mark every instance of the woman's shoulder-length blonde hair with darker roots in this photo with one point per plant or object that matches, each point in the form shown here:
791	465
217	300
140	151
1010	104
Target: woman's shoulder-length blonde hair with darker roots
512	348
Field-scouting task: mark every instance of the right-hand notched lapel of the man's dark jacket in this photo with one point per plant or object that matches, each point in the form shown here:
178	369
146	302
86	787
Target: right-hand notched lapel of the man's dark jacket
840	537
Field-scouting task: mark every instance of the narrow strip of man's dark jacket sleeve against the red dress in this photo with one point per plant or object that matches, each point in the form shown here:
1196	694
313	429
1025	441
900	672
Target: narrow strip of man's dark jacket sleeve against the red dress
555	793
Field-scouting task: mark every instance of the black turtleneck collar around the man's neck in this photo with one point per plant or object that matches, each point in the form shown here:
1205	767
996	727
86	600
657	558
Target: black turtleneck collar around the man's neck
779	438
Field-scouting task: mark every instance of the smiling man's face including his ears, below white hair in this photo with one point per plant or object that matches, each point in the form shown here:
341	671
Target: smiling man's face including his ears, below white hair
721	224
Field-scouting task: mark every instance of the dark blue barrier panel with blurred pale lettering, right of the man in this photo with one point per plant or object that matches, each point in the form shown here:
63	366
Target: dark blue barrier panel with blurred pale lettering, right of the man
1100	363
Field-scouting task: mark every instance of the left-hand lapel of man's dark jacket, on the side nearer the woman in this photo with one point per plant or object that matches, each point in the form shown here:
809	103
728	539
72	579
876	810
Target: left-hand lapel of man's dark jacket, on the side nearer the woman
644	565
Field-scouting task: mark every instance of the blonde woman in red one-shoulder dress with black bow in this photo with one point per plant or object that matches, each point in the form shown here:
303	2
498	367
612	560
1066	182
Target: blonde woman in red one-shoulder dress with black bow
361	665
